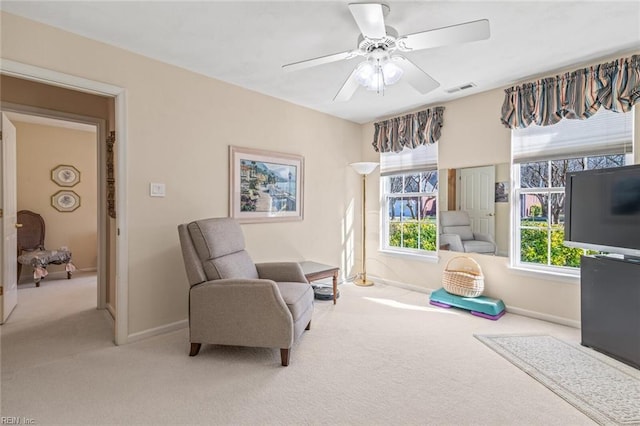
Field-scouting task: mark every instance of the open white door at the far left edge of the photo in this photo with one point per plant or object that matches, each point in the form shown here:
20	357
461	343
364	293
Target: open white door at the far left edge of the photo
8	219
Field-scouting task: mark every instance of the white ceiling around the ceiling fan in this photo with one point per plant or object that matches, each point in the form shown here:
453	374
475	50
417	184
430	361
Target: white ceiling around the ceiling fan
246	43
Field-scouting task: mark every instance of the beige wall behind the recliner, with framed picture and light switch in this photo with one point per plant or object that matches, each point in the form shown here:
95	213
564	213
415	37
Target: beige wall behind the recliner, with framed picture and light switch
179	126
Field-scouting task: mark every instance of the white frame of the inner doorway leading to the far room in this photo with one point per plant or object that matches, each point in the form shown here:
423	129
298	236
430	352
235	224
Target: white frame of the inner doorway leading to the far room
101	222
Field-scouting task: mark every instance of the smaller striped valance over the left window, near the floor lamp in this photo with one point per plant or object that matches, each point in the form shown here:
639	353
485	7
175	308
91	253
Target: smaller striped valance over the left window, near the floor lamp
411	130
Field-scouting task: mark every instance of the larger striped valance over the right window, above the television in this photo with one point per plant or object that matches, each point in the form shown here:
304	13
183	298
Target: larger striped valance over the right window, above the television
578	94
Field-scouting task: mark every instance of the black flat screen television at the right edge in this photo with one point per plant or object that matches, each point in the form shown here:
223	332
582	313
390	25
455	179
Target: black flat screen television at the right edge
602	210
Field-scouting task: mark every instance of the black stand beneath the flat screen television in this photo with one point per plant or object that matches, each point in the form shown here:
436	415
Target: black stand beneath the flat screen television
610	307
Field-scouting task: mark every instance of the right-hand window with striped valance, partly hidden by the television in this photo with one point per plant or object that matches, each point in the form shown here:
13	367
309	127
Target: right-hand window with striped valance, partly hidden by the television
597	133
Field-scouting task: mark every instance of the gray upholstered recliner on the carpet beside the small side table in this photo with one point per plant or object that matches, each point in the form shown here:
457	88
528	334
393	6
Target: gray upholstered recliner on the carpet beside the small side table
233	301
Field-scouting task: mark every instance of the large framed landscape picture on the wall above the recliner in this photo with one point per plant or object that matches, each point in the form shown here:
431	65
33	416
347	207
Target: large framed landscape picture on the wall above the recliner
265	186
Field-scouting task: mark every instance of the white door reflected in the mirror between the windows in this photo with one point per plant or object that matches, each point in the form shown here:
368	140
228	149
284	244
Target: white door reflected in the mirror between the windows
477	197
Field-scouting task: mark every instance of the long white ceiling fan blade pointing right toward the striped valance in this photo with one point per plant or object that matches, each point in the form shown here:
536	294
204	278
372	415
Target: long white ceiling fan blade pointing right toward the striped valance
455	34
